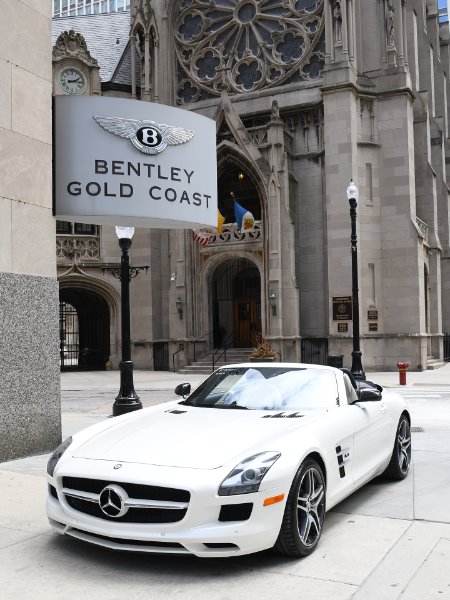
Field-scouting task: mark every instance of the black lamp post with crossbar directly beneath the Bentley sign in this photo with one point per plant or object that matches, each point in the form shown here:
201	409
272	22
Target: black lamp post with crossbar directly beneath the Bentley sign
127	400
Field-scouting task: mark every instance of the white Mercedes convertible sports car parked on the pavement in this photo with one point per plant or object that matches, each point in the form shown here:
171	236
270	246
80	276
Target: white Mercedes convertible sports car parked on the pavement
250	460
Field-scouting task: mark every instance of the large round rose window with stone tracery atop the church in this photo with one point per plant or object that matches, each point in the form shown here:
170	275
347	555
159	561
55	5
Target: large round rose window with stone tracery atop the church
246	45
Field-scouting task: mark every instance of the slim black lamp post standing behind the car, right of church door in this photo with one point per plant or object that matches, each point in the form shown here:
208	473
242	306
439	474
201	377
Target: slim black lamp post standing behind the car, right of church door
357	369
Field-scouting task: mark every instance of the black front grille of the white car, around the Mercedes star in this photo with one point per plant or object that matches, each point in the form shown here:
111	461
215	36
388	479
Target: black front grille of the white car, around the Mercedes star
144	503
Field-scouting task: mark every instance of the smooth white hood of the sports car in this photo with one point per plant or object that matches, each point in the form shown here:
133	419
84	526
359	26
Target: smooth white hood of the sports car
190	437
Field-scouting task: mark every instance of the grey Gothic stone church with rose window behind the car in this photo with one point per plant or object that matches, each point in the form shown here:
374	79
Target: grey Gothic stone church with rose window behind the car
307	95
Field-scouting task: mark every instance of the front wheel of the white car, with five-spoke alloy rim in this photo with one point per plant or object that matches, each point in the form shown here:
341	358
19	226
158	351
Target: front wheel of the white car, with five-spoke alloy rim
304	513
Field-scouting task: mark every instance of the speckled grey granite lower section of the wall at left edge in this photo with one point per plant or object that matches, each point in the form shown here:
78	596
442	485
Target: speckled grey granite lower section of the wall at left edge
30	384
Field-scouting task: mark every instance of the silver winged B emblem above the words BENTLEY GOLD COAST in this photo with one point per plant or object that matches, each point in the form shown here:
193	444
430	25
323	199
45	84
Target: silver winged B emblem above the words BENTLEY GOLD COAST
147	136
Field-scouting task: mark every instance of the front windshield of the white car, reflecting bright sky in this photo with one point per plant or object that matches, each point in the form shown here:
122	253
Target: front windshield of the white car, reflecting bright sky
267	388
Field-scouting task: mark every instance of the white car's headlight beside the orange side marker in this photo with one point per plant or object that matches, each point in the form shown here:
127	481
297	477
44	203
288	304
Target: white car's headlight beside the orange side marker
246	477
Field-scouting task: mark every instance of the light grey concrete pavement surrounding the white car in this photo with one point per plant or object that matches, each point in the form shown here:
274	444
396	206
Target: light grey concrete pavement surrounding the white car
387	541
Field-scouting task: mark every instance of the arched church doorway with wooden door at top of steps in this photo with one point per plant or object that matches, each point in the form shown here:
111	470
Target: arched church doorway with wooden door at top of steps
236	297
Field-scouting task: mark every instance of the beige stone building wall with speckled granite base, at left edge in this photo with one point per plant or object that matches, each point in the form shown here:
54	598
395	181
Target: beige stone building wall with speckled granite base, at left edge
30	382
